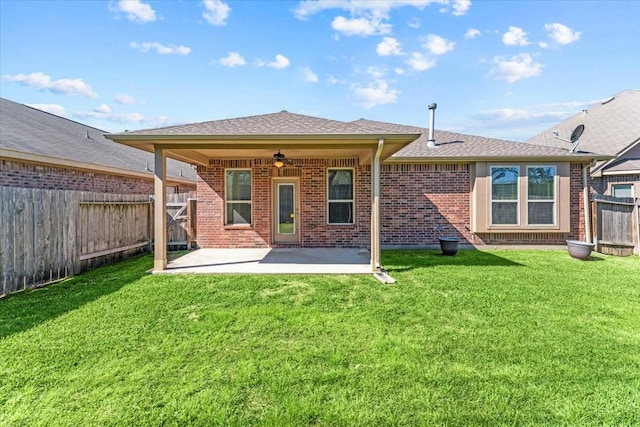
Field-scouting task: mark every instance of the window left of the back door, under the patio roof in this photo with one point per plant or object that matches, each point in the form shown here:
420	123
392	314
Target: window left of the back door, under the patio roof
238	197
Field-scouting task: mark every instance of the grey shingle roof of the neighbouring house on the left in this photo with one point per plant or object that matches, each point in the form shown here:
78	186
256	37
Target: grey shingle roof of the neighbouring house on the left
33	135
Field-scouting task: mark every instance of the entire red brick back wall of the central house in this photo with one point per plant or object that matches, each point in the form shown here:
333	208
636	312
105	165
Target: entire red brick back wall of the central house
416	200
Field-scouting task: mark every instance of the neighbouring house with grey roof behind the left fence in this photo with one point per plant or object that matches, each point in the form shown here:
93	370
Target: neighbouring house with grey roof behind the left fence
42	150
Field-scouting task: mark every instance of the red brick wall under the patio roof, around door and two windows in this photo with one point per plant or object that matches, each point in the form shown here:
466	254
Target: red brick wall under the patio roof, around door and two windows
314	230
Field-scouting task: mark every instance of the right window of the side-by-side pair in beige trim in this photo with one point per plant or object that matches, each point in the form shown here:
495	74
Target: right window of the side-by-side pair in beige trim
541	195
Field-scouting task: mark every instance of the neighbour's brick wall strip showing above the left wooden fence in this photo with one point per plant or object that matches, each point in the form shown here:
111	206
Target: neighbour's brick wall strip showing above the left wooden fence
49	177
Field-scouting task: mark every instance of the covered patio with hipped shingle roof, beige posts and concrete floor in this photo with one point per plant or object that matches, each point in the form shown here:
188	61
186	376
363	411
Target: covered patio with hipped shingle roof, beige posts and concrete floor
254	148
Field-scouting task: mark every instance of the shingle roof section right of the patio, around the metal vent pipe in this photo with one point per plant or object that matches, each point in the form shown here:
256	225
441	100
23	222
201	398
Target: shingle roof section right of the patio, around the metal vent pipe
451	146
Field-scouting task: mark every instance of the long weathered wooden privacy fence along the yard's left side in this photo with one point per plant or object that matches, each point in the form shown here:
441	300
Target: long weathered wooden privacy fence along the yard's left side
47	235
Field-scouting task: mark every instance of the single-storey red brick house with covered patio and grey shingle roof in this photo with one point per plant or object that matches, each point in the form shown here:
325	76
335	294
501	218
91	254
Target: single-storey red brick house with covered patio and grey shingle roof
287	179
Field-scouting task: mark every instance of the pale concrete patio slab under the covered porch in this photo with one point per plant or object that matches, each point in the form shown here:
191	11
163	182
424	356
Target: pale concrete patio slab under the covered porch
273	261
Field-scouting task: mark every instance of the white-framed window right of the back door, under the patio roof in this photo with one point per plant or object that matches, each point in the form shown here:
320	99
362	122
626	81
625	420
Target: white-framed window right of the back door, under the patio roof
340	196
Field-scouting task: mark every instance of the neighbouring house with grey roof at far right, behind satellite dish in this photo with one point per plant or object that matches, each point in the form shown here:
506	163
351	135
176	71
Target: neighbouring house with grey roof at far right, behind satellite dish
611	127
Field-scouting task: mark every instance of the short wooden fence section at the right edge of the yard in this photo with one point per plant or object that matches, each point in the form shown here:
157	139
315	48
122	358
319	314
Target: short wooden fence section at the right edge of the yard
616	225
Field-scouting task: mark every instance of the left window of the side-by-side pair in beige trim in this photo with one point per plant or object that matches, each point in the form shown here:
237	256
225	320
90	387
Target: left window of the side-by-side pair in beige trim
504	195
